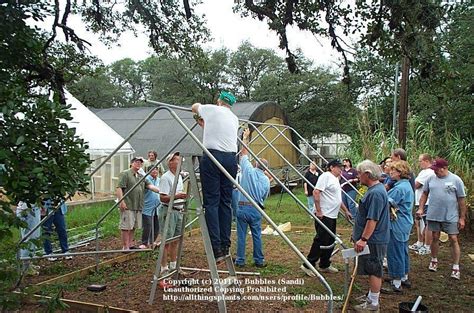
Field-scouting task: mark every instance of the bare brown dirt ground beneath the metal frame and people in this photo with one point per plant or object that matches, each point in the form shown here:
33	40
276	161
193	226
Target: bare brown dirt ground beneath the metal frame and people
281	286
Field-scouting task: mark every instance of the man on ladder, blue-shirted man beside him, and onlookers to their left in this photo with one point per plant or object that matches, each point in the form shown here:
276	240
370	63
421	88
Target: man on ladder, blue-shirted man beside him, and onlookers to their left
149	200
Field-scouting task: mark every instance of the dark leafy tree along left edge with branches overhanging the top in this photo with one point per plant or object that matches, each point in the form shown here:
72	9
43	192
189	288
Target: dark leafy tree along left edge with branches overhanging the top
40	156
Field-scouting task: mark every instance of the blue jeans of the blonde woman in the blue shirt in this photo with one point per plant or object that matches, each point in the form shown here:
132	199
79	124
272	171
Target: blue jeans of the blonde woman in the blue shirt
397	258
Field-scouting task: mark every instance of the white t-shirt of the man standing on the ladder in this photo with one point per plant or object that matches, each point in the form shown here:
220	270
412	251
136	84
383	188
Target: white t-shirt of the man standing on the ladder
220	128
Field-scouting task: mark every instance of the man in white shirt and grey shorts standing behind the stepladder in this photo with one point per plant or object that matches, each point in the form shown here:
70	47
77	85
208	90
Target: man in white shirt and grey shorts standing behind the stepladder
176	214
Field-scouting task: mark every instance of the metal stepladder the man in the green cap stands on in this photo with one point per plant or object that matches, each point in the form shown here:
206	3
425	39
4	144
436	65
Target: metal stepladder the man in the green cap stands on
220	284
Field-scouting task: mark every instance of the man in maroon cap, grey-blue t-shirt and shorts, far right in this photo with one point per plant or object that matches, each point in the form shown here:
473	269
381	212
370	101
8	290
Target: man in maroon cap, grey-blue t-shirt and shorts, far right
447	211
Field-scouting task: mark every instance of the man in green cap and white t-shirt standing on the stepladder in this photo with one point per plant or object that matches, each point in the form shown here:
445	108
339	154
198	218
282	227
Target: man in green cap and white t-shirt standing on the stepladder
220	138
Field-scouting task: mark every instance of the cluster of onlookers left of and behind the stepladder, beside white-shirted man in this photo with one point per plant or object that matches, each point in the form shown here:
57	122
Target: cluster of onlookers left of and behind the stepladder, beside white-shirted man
145	206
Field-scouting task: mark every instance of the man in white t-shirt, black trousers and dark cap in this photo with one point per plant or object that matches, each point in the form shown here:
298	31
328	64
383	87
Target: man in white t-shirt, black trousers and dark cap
327	201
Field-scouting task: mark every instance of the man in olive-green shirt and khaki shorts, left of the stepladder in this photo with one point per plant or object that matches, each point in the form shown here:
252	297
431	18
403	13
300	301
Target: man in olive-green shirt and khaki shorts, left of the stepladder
132	205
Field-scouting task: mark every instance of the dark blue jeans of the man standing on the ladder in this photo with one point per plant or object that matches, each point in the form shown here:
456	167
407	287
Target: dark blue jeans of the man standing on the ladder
217	197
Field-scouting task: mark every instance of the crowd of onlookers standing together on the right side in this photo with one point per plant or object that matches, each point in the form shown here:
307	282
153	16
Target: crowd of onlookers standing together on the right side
384	218
